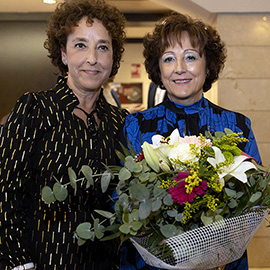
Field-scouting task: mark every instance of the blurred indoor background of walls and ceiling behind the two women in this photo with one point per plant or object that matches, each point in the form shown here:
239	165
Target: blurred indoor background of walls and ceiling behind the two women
244	84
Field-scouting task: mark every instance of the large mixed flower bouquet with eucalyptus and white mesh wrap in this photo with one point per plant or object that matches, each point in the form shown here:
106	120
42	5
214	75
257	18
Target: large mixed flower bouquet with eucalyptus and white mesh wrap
192	202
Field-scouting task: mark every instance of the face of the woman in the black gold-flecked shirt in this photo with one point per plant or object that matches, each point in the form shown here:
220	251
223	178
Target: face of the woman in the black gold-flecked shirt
89	56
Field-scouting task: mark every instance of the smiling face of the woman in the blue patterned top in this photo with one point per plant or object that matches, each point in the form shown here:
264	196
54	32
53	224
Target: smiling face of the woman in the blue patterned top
183	71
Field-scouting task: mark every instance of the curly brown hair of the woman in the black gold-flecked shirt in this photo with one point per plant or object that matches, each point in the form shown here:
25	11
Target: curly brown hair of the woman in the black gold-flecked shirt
66	17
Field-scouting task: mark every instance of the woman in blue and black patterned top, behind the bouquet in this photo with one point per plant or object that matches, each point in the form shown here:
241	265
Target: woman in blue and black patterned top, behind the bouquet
184	56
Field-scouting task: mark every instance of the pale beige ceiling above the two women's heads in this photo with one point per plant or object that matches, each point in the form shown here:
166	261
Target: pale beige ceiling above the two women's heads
137	27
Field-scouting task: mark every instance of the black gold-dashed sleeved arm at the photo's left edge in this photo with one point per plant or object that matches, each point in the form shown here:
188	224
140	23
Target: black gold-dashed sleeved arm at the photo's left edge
16	148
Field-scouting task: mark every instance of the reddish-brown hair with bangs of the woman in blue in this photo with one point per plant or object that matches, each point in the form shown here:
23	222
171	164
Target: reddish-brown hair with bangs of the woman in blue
168	30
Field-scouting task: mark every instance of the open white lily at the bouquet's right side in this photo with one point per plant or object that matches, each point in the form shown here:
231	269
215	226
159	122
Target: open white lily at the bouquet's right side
236	169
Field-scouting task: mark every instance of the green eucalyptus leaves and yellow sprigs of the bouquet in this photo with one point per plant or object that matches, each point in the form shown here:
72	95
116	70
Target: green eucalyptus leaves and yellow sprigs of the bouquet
145	208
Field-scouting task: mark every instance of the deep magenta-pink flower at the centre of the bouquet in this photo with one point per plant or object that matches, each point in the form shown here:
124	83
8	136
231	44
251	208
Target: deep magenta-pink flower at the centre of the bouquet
179	194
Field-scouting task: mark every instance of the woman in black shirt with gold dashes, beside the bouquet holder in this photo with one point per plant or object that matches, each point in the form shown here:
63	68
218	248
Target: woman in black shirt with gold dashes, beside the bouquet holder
68	126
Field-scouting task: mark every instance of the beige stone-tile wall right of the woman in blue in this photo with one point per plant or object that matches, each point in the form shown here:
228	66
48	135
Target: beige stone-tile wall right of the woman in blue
245	87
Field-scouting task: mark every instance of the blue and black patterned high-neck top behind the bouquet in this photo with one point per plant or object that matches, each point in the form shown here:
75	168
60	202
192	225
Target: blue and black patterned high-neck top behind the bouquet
192	119
